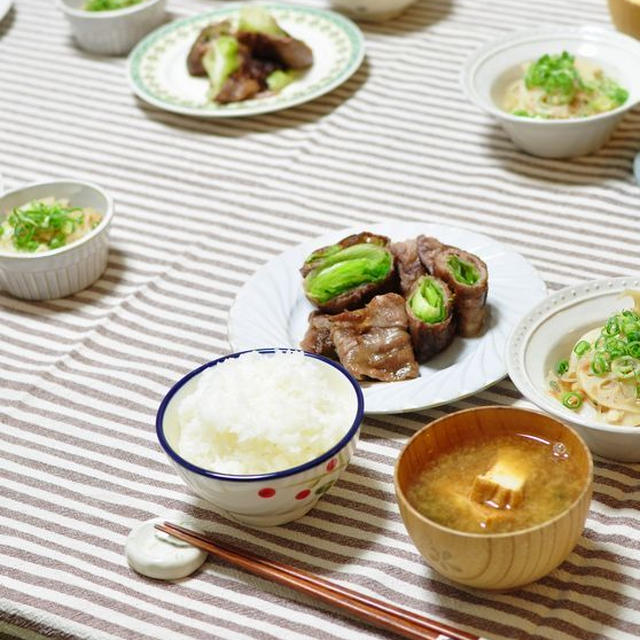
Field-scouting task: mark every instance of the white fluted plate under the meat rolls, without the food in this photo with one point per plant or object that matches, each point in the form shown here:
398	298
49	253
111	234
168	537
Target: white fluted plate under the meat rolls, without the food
465	367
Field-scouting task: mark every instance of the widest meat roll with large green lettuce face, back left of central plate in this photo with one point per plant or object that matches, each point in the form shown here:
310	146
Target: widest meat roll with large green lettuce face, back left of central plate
348	274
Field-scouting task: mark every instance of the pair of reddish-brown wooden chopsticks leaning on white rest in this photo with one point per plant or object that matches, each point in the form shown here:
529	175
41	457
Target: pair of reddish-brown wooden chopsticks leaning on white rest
384	614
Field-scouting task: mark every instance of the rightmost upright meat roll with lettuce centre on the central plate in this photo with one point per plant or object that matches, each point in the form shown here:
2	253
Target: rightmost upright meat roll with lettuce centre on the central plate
467	277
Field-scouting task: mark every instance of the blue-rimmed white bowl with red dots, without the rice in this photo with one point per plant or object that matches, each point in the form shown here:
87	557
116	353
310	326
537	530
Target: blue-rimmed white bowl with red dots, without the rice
266	499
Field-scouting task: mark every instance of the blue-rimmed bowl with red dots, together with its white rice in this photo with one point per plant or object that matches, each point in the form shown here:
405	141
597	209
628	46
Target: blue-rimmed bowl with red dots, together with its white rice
262	435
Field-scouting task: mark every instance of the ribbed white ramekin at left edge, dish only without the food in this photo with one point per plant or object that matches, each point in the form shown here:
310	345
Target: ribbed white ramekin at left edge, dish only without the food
69	269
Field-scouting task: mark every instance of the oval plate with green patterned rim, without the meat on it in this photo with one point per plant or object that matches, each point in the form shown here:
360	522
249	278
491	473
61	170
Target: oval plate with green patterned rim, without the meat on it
158	73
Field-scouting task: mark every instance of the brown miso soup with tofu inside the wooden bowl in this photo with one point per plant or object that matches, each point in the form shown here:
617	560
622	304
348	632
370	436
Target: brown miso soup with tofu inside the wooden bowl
503	484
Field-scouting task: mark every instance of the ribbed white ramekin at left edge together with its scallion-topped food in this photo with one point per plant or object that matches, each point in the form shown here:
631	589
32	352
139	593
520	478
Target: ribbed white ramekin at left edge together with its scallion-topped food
68	252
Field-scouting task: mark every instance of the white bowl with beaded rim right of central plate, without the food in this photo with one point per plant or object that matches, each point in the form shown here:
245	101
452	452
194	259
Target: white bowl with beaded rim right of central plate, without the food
547	334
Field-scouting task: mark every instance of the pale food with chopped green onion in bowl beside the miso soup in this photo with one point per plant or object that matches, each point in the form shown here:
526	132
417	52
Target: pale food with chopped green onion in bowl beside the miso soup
603	370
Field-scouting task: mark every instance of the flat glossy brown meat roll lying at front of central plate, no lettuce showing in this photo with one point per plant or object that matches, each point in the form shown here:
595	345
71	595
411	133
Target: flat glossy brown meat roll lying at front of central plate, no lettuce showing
374	342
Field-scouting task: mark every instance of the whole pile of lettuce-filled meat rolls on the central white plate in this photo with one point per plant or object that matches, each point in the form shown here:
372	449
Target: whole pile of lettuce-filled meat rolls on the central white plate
382	308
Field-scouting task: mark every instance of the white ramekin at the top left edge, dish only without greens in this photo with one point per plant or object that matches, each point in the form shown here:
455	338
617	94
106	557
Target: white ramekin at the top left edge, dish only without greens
112	33
